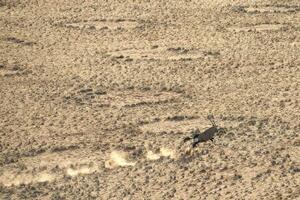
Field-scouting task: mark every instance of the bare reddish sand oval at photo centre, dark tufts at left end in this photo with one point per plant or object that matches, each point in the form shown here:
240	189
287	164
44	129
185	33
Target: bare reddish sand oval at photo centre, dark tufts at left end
122	99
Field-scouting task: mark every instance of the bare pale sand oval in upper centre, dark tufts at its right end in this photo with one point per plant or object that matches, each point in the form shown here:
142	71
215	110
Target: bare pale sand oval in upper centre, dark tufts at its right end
160	53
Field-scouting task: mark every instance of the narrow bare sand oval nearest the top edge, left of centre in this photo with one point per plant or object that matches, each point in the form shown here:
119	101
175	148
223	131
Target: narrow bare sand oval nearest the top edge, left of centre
103	24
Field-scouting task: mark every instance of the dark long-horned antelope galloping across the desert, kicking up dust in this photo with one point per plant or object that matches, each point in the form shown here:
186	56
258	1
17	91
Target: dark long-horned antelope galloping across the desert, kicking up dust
207	135
